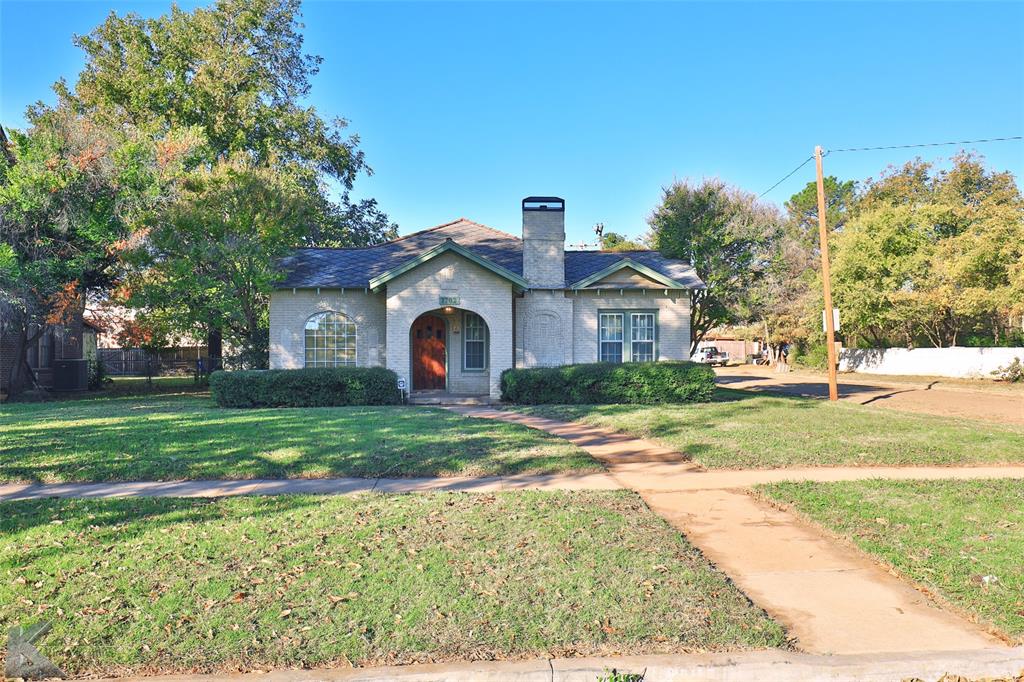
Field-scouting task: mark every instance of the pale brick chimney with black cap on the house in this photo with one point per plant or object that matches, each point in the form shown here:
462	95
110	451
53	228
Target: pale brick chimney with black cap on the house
544	242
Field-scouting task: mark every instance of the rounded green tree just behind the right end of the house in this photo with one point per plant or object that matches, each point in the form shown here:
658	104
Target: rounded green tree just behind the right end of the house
727	234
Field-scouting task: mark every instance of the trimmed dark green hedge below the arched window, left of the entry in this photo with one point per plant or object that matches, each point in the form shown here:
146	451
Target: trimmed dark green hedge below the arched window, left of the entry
306	389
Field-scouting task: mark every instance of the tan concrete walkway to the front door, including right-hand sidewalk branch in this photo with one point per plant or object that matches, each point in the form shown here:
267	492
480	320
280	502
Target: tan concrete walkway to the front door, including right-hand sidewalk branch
832	599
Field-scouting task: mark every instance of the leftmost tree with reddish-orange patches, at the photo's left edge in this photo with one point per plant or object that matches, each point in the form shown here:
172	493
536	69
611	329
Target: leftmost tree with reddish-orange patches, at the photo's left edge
70	191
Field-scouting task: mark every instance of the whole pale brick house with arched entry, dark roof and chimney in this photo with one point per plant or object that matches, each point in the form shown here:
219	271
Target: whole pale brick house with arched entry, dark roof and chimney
451	308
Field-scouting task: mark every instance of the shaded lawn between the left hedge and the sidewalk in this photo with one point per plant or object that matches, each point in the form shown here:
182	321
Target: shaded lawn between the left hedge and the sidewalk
183	436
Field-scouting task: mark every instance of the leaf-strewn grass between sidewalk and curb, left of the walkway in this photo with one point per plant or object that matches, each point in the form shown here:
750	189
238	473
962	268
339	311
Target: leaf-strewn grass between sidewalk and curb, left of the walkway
165	585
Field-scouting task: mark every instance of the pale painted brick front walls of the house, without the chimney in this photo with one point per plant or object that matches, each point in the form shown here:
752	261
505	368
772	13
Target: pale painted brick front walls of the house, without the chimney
383	322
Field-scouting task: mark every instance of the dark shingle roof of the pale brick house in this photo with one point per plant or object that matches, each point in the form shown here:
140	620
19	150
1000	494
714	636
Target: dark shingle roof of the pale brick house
329	269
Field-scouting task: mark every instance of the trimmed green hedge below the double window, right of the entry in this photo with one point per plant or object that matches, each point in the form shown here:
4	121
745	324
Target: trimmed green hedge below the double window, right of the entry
644	383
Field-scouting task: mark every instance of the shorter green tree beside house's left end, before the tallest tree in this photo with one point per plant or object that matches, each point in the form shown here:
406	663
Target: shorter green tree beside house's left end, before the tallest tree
209	257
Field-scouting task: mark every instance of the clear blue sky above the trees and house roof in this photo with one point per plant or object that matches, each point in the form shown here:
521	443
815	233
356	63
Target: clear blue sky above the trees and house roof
464	109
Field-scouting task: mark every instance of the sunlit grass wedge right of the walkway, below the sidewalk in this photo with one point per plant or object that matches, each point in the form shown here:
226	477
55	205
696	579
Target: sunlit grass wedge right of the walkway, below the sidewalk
965	540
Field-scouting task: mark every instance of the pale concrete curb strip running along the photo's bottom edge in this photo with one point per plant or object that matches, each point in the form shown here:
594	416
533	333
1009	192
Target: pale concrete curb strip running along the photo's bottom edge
740	667
